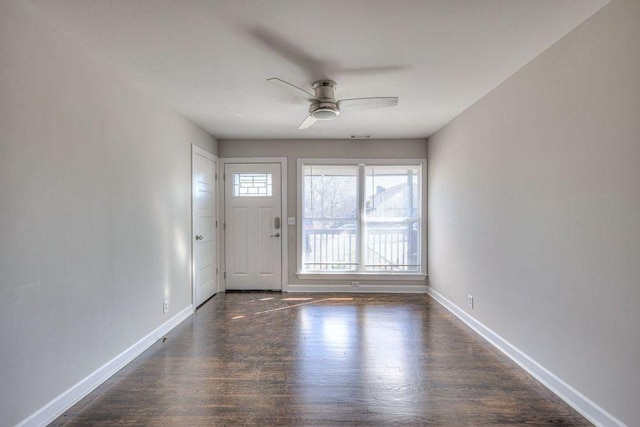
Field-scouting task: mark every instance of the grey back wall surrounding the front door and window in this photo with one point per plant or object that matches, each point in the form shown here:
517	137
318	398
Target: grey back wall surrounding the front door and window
348	149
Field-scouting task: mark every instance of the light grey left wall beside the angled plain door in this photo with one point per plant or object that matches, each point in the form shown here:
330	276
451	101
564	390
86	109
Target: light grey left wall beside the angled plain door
94	213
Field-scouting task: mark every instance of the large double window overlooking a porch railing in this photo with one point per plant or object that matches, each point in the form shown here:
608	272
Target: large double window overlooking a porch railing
360	217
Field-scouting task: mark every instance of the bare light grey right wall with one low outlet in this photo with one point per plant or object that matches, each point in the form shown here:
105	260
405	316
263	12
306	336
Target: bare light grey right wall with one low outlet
534	208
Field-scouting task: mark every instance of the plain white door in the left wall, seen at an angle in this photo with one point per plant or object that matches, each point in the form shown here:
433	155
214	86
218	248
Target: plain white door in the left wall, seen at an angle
204	205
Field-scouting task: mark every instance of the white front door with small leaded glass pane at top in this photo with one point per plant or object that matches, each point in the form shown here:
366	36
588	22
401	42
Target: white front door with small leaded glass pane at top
253	226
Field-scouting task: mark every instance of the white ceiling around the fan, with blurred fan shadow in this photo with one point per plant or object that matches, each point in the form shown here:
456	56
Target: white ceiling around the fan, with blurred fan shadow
209	60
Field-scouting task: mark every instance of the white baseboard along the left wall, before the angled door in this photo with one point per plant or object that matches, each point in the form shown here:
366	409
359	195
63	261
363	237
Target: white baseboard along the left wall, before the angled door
66	400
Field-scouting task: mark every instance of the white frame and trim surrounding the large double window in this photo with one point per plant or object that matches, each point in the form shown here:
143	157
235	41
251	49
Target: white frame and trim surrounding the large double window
362	163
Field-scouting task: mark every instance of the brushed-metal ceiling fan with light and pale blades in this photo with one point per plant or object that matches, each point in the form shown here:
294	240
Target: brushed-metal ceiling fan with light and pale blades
324	105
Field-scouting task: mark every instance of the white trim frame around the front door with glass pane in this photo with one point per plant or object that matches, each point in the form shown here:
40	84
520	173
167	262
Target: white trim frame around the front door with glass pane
284	248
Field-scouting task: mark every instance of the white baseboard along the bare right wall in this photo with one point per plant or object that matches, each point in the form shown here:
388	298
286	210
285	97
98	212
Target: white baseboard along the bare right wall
586	407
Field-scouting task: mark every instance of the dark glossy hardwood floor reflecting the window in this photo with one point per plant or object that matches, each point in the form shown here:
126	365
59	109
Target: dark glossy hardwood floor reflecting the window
321	359
